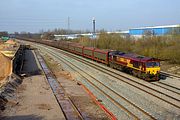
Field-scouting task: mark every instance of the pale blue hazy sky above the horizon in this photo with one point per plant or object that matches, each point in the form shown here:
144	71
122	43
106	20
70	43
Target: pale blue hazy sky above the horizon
111	15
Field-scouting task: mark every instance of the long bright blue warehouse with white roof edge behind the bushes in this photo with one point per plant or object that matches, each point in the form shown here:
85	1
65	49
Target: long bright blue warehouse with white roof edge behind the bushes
156	30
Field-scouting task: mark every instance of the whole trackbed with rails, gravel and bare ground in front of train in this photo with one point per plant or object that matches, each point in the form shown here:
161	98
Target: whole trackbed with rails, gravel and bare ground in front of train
57	84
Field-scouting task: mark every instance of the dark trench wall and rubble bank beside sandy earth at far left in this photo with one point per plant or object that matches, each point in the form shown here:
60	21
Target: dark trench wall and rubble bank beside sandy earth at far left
8	89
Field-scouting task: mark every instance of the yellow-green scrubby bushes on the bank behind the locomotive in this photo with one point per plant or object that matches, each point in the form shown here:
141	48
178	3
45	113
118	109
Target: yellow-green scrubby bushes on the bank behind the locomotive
162	47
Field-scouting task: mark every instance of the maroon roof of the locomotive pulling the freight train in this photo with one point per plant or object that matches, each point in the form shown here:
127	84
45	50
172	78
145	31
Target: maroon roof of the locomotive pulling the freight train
133	56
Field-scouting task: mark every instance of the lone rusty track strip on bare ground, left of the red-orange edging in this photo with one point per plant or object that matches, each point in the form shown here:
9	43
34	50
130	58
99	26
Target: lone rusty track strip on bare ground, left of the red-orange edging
70	111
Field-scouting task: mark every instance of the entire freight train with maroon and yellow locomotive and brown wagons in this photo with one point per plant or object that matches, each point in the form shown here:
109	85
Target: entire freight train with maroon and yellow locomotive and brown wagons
146	68
